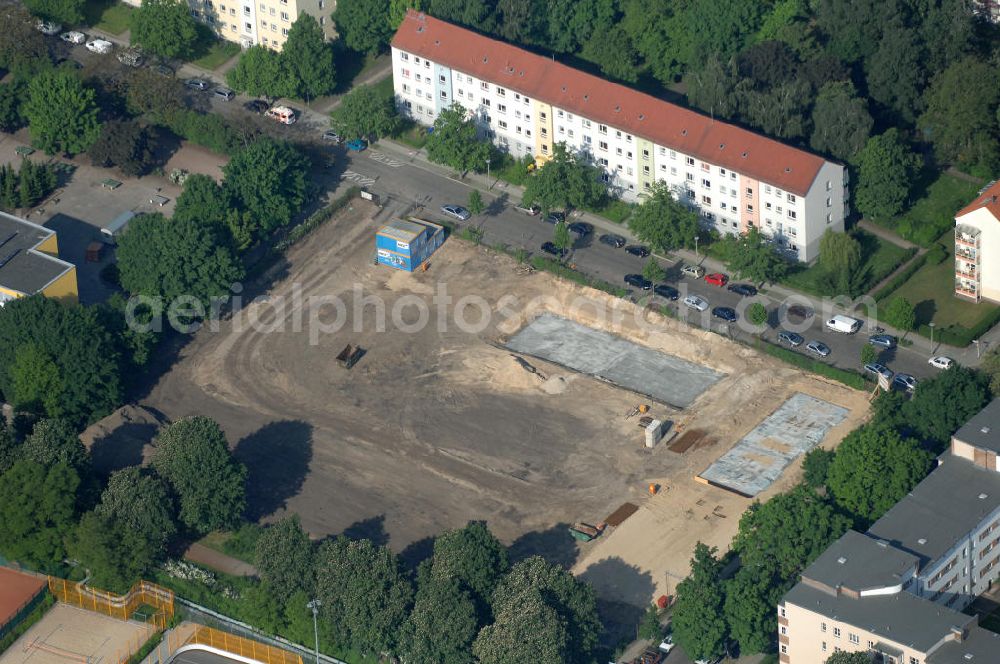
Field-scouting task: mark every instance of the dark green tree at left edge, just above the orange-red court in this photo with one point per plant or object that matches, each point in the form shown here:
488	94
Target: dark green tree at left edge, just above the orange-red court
37	511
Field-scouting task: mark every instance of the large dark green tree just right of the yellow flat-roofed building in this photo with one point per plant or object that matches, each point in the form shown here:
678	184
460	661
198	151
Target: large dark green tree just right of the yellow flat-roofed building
170	258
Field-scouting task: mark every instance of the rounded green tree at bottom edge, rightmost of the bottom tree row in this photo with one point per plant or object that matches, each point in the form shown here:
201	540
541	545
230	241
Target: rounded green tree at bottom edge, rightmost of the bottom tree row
529	632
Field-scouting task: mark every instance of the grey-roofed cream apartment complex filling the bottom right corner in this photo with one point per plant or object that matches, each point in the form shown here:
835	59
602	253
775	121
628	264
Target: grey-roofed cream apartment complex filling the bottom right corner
898	590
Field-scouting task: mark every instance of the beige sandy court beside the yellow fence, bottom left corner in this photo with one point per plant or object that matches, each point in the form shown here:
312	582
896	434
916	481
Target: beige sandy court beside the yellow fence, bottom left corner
68	635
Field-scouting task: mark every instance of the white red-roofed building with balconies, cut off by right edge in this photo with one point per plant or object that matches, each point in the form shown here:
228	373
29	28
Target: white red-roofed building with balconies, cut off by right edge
977	247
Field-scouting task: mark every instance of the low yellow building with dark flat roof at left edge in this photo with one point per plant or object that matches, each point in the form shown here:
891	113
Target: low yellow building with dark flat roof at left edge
30	263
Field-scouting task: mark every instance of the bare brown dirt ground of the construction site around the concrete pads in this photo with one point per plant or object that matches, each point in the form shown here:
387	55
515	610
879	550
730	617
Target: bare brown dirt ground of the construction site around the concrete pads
438	424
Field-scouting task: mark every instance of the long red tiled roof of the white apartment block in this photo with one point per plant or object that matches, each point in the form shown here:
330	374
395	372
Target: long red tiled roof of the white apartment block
609	103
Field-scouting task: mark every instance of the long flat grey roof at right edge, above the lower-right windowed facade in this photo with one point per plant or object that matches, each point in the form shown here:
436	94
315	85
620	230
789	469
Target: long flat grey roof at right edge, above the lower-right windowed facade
945	506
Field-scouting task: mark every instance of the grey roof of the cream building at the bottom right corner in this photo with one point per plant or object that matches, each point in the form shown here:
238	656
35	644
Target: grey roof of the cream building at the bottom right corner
901	618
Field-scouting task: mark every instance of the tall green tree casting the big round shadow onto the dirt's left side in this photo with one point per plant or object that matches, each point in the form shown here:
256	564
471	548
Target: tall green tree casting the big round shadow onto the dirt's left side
192	455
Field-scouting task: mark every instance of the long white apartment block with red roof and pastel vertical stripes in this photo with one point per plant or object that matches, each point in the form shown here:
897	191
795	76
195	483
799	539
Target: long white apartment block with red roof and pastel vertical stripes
526	103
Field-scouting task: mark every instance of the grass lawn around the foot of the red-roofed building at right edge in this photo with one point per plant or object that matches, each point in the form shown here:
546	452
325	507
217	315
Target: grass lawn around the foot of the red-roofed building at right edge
931	290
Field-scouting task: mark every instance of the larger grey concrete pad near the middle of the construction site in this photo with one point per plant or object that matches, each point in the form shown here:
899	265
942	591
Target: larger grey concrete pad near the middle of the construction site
663	377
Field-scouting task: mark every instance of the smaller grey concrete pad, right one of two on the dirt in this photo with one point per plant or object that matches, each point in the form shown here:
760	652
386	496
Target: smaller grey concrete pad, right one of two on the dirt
759	458
